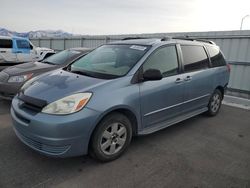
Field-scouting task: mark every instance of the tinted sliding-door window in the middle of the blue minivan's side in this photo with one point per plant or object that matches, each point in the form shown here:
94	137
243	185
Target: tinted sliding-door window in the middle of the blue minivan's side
194	57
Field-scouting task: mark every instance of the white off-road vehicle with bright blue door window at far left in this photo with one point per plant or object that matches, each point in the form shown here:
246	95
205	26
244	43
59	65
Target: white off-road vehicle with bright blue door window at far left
18	50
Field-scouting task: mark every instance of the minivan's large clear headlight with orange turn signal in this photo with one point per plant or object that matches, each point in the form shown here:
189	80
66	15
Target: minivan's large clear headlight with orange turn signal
68	105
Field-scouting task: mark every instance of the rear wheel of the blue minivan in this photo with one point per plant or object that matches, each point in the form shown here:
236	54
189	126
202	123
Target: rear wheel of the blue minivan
214	103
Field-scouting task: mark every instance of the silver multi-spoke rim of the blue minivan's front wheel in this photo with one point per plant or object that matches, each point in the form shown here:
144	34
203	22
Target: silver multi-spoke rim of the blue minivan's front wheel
113	138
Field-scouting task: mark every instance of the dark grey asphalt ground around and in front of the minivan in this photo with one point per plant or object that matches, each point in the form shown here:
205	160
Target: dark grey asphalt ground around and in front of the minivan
199	152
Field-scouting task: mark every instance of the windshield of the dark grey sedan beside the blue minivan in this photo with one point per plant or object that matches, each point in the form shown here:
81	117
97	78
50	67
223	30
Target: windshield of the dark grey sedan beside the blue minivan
62	57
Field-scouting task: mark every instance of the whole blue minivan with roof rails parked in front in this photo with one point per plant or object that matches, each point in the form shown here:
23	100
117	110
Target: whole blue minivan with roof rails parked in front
119	90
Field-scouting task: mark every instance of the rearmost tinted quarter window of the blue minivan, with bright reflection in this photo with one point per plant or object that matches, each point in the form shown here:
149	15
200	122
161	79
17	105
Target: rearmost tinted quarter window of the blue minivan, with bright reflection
216	56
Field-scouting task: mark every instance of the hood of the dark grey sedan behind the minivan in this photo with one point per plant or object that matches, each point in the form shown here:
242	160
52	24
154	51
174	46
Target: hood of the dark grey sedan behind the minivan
33	67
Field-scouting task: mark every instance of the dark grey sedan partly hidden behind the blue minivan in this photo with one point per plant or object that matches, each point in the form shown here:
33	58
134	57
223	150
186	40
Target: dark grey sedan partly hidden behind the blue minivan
12	78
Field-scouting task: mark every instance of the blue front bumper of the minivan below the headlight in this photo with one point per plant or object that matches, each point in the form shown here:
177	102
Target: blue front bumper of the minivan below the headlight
54	135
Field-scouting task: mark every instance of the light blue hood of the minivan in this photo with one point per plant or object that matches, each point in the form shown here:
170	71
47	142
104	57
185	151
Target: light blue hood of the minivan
59	83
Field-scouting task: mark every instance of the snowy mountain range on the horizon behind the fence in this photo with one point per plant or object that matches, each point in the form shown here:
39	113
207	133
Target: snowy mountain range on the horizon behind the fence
36	34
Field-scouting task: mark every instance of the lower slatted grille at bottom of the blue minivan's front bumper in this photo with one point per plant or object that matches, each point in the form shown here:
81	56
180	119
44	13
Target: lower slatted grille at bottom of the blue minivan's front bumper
53	150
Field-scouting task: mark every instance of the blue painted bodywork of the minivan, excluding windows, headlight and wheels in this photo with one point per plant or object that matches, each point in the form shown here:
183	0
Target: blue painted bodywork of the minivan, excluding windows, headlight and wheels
154	104
